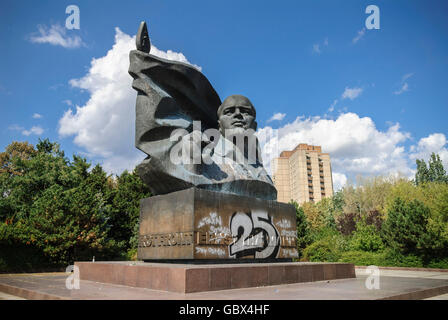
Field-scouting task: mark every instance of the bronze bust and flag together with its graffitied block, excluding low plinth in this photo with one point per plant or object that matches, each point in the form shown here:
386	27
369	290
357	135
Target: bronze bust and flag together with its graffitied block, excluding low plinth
213	199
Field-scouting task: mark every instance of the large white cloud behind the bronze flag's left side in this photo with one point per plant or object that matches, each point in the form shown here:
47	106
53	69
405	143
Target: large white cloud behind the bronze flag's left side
105	125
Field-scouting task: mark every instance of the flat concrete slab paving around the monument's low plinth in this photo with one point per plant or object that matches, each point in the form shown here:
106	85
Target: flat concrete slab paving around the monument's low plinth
393	284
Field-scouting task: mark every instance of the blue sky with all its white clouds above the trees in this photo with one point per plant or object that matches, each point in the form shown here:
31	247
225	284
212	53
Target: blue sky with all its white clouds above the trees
374	99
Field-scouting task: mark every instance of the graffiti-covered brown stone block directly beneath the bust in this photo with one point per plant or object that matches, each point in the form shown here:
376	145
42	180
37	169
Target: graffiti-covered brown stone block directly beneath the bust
197	224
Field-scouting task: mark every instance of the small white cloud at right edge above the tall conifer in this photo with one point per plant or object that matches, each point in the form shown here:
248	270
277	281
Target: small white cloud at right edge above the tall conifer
436	143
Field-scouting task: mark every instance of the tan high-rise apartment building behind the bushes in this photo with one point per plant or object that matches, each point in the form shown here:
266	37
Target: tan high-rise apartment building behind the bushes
302	175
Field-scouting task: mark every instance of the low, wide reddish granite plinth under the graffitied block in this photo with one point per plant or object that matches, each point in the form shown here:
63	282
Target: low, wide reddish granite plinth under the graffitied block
184	278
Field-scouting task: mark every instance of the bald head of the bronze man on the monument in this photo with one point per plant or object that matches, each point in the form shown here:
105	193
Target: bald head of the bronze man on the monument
236	114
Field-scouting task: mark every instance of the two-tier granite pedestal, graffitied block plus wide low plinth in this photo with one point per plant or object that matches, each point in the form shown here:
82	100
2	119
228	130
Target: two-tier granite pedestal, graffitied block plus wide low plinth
198	240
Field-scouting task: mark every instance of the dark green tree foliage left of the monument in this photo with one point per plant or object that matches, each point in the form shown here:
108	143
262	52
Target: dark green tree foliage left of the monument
62	209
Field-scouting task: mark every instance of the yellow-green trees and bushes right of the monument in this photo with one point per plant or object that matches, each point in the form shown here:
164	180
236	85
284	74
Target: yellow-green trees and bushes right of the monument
384	221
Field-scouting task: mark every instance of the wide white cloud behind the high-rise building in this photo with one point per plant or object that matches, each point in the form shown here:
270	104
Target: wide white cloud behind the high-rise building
355	145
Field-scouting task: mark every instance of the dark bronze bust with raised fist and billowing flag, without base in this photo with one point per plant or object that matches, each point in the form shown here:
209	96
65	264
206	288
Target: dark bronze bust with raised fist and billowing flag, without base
191	138
